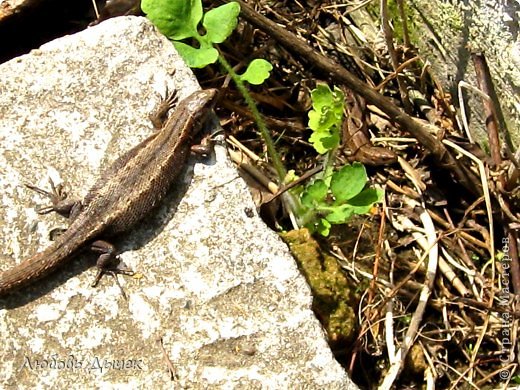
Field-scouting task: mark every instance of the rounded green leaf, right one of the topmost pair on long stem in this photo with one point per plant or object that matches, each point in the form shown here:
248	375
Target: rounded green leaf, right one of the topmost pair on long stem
221	21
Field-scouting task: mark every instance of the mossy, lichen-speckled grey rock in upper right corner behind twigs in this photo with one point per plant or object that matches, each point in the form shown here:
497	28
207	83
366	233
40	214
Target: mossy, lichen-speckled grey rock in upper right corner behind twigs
447	32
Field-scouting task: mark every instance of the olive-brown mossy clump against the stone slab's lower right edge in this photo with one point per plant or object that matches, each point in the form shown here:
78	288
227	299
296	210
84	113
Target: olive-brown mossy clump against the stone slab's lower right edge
334	299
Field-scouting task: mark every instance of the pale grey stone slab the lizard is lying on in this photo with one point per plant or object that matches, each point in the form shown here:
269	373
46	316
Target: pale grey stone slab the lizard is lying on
218	288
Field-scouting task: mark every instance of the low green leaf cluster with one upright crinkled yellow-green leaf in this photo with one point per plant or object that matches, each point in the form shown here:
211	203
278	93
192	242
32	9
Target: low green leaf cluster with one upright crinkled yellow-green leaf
337	195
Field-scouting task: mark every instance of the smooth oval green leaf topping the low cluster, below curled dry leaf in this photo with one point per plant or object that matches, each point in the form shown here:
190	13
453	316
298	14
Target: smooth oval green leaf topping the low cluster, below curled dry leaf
348	182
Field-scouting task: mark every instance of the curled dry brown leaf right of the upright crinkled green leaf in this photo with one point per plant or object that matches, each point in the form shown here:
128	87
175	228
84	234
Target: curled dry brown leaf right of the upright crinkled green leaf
355	135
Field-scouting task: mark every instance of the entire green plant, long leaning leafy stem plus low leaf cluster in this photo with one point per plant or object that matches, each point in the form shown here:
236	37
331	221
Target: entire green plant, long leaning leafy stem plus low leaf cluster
336	196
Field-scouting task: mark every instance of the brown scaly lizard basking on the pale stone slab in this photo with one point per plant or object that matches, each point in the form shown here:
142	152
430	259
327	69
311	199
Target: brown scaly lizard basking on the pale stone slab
123	194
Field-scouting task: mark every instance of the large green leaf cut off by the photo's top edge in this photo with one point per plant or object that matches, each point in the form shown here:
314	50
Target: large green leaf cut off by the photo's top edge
177	19
